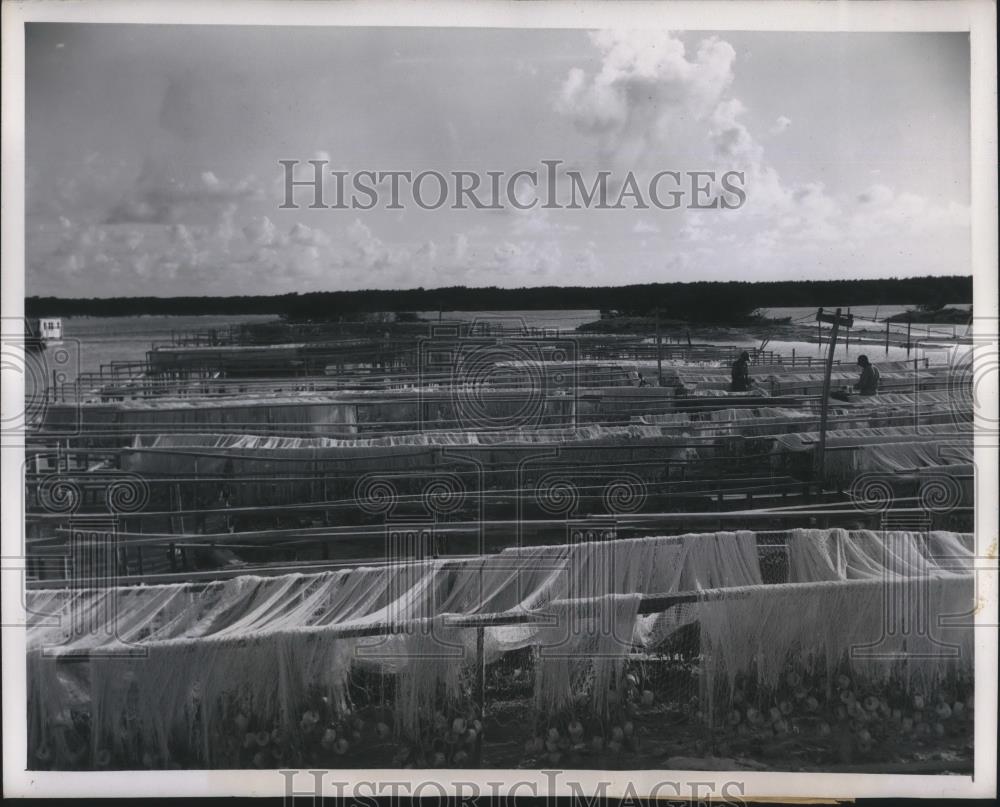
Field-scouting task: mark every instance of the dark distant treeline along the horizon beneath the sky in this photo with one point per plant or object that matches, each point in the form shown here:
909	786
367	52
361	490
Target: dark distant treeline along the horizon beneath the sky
692	302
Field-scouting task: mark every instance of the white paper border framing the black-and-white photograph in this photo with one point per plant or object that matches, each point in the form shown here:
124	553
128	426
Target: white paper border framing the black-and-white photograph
975	16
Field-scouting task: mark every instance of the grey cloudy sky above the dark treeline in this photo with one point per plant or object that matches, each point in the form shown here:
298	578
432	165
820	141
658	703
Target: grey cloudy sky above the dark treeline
152	155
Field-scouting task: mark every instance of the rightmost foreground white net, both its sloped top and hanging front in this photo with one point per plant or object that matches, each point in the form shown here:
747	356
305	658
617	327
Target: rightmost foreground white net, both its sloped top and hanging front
875	599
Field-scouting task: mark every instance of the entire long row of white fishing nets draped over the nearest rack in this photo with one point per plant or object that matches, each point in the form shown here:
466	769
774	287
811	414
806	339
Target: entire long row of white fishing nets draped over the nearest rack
163	666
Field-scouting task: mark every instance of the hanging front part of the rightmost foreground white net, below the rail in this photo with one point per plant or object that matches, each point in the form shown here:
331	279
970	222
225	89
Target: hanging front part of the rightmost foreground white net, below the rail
836	622
